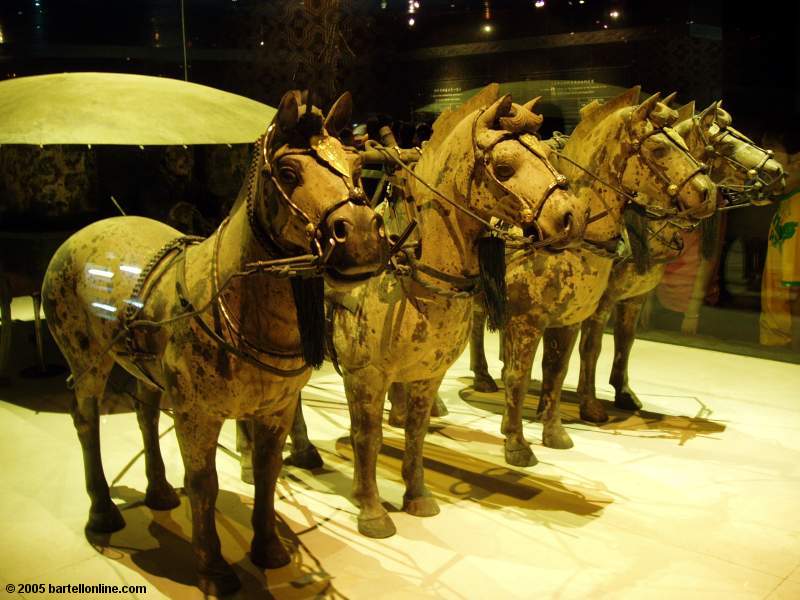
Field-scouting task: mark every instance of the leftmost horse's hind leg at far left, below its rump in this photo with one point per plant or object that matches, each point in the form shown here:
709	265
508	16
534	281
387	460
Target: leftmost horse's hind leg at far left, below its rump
104	516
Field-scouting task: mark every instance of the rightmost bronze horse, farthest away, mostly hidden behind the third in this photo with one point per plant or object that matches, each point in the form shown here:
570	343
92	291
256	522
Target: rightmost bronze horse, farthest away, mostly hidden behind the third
736	164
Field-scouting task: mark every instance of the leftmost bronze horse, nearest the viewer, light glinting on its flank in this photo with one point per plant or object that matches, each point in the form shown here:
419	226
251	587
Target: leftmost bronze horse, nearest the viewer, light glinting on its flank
212	325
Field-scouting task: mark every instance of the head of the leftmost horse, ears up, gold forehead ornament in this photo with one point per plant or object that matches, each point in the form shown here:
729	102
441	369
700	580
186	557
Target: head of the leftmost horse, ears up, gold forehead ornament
308	200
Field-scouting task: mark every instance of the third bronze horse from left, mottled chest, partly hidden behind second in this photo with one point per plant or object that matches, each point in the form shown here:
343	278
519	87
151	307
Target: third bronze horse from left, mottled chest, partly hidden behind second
626	162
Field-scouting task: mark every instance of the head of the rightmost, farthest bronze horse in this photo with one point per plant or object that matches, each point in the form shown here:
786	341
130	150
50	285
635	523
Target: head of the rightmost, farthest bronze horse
739	167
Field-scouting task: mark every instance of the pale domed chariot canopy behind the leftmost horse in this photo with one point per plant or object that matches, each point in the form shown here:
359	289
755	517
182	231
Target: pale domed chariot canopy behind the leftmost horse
125	109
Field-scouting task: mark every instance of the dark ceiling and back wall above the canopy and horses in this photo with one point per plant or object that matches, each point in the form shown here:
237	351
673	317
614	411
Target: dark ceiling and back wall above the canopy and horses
743	52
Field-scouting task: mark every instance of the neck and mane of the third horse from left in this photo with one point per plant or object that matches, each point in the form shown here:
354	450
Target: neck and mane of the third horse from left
601	152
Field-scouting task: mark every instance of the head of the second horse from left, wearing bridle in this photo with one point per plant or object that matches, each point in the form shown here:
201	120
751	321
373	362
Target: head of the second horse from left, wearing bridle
517	183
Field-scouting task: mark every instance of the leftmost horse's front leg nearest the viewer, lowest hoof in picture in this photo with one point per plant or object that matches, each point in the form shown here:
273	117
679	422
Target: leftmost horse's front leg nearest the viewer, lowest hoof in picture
197	437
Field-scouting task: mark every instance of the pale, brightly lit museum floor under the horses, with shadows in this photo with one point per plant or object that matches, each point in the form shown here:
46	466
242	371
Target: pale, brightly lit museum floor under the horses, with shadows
696	497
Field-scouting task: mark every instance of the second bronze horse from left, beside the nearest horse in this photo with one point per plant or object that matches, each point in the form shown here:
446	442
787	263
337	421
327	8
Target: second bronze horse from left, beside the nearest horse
409	326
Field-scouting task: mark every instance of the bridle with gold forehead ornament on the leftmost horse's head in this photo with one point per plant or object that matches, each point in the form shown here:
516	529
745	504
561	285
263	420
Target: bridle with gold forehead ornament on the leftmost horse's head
327	152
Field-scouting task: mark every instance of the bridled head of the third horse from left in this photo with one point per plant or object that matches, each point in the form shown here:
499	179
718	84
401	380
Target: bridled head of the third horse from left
660	168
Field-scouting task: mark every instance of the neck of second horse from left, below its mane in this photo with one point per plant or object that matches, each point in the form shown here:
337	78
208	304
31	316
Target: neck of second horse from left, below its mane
448	236
